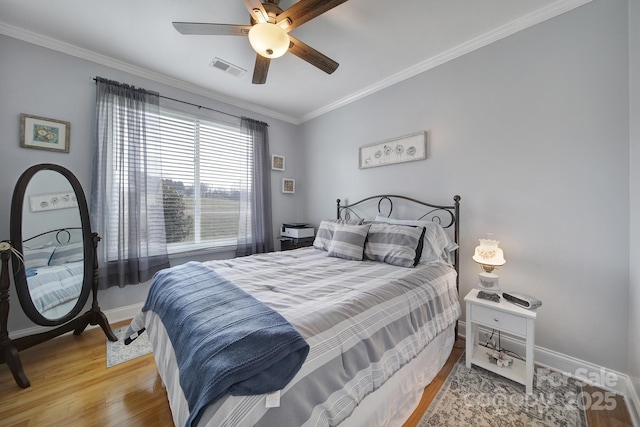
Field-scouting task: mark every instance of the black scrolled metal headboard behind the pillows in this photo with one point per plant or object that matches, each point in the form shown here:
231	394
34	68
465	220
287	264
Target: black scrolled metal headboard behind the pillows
446	215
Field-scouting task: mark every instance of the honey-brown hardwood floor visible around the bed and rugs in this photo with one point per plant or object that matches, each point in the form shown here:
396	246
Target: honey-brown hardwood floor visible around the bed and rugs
71	386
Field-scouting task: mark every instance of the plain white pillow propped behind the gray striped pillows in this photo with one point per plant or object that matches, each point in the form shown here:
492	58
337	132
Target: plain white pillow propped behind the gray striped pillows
437	244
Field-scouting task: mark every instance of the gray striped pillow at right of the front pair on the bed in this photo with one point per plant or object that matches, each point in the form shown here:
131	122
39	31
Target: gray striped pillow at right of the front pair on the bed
393	244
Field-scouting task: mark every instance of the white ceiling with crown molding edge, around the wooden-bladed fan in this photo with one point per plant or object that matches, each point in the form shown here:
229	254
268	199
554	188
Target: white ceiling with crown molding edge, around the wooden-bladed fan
376	42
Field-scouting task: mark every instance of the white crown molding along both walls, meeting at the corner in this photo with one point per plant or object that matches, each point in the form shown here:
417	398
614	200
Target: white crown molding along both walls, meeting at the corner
499	33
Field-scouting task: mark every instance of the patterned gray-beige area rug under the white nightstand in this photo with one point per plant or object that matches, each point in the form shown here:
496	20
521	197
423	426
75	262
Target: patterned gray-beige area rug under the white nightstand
477	397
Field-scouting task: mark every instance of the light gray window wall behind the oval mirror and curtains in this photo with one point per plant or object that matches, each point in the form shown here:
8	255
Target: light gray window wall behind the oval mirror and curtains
42	82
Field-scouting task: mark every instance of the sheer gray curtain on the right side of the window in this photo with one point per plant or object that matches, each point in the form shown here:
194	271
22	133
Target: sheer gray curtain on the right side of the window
255	232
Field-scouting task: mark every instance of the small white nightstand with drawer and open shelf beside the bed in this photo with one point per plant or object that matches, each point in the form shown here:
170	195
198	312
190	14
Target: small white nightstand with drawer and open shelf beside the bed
506	317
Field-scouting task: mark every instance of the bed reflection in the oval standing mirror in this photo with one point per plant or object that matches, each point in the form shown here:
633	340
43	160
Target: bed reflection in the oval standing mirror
54	266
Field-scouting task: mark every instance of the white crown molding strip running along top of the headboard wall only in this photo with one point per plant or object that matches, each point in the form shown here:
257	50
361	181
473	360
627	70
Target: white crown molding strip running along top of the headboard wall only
499	33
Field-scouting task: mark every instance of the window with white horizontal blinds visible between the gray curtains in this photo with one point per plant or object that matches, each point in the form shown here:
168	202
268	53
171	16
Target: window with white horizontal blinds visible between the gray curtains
205	165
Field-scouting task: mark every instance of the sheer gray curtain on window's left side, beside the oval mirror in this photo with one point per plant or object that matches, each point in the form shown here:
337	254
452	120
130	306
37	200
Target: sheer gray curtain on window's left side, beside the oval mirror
126	198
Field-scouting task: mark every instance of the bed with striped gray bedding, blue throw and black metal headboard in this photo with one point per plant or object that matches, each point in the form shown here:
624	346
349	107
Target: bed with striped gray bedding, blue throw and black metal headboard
373	306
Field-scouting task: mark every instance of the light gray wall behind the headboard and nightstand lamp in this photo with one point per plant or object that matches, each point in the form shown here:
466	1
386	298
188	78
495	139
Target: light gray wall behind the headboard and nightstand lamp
532	132
